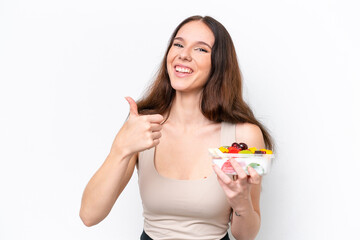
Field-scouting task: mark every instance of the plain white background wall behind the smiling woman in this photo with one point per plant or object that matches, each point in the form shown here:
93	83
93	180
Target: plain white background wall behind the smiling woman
66	66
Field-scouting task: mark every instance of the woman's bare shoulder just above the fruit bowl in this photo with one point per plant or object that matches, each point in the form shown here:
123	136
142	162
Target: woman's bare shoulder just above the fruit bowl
250	134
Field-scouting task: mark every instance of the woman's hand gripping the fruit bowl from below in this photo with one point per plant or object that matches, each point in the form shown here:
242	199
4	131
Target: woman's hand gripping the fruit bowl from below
237	189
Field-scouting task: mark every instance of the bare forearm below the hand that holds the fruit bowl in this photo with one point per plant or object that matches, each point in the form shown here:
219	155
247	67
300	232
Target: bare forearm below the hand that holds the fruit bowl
245	222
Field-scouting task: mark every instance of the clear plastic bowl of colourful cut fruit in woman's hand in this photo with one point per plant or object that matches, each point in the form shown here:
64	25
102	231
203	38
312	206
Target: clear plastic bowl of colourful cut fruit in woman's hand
258	159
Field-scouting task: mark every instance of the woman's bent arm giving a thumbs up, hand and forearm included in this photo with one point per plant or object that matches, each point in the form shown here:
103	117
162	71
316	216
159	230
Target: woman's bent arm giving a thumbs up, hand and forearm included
137	134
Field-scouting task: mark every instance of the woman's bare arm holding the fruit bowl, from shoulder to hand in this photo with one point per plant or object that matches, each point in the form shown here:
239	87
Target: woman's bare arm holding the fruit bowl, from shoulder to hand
243	194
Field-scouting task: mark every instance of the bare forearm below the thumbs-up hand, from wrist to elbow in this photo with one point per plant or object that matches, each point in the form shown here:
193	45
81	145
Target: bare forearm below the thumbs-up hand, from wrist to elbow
103	189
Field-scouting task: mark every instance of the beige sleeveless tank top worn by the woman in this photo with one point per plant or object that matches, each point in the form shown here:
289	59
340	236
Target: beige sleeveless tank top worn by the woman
183	209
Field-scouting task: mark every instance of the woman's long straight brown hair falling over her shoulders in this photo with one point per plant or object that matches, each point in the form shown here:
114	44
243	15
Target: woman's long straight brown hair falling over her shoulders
222	98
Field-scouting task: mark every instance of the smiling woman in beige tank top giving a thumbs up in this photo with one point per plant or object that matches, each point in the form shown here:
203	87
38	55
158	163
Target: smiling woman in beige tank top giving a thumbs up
195	103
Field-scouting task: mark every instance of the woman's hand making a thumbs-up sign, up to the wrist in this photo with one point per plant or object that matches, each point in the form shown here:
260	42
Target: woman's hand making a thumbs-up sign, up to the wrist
139	132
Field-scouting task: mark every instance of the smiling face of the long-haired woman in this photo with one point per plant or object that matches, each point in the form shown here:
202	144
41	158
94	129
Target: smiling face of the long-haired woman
189	58
